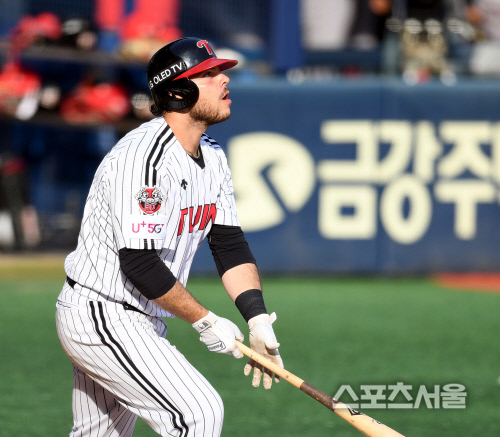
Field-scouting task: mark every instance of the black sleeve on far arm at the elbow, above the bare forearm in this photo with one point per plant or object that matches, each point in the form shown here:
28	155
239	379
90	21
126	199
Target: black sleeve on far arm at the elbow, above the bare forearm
229	247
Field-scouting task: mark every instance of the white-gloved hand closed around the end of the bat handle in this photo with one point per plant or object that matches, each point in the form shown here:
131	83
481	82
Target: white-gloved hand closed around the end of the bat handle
219	334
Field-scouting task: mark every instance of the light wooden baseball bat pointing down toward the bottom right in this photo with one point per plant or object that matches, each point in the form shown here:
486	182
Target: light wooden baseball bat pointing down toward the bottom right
363	423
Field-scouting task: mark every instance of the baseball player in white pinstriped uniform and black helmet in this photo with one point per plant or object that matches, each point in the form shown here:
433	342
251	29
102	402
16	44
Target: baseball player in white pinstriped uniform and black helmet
158	193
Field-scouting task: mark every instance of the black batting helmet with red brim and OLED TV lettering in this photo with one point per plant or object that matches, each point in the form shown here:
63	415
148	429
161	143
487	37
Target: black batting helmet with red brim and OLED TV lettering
169	70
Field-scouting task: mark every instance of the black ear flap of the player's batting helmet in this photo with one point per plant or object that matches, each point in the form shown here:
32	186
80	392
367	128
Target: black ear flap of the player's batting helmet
176	95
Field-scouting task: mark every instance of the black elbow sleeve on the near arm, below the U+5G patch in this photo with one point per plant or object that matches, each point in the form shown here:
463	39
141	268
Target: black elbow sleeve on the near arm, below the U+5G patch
146	271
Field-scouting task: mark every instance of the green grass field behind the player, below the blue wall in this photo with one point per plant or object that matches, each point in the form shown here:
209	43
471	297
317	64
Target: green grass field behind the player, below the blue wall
333	332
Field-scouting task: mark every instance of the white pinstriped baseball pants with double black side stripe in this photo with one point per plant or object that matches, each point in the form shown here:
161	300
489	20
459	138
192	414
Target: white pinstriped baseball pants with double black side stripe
124	368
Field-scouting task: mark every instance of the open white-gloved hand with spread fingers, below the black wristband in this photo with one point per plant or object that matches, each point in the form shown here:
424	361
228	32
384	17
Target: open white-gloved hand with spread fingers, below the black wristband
263	341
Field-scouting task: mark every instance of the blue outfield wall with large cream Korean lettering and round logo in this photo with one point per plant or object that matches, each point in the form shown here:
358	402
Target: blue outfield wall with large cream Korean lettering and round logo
365	176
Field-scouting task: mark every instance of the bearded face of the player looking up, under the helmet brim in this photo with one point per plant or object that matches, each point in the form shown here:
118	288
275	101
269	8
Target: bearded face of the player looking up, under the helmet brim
213	105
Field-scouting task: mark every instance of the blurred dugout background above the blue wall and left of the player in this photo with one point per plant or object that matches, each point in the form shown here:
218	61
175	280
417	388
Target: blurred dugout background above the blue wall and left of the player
67	63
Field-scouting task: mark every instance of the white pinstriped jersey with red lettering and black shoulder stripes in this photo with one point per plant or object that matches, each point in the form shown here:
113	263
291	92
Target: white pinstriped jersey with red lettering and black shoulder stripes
148	193
